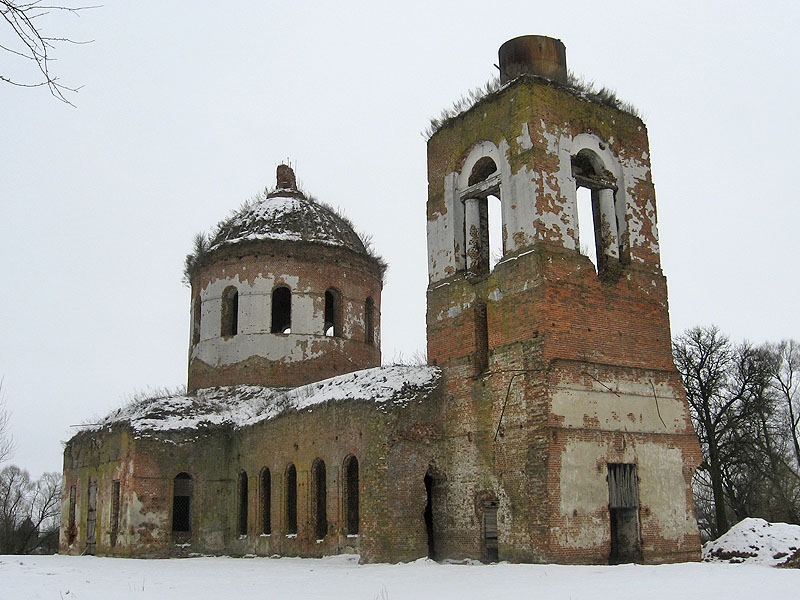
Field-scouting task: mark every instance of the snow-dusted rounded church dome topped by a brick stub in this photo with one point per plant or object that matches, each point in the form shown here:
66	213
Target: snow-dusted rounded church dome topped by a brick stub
287	214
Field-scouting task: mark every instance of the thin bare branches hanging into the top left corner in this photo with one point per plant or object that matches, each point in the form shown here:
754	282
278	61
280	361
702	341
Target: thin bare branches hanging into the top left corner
33	46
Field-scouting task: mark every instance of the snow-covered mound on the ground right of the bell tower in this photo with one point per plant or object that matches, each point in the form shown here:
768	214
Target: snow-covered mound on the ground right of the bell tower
755	541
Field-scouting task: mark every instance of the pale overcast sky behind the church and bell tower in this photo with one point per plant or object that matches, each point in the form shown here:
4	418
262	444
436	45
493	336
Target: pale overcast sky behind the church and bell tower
187	108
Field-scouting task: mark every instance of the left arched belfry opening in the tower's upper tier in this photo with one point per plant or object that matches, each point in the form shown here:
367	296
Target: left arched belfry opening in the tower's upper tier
483	224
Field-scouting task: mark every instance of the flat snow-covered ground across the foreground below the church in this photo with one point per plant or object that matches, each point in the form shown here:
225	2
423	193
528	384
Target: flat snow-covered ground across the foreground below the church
220	578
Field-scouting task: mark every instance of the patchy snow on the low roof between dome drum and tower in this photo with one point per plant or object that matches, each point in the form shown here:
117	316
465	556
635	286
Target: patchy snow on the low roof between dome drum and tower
243	405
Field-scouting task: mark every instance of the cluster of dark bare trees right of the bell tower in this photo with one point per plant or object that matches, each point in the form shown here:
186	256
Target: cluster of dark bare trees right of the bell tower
744	401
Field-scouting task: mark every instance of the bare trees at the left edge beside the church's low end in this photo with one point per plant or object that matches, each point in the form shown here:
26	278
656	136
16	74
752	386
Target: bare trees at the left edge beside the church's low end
29	510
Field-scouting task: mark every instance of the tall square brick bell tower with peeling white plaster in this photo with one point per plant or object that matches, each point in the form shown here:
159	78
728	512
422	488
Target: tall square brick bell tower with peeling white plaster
566	420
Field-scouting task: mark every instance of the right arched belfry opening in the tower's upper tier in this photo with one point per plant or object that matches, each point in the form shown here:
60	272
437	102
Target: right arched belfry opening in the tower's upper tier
598	236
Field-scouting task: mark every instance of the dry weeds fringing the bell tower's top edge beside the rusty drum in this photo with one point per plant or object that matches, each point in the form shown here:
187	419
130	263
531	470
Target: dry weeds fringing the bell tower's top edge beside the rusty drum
585	88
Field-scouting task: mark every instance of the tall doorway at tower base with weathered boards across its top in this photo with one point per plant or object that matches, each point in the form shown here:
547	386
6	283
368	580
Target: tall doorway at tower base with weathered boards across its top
623	506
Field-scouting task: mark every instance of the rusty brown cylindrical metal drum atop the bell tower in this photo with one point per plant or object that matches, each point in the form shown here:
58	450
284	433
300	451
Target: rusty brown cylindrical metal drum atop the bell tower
533	55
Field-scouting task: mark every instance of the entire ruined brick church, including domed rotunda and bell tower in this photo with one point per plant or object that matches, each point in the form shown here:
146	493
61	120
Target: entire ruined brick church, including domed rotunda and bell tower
550	424
